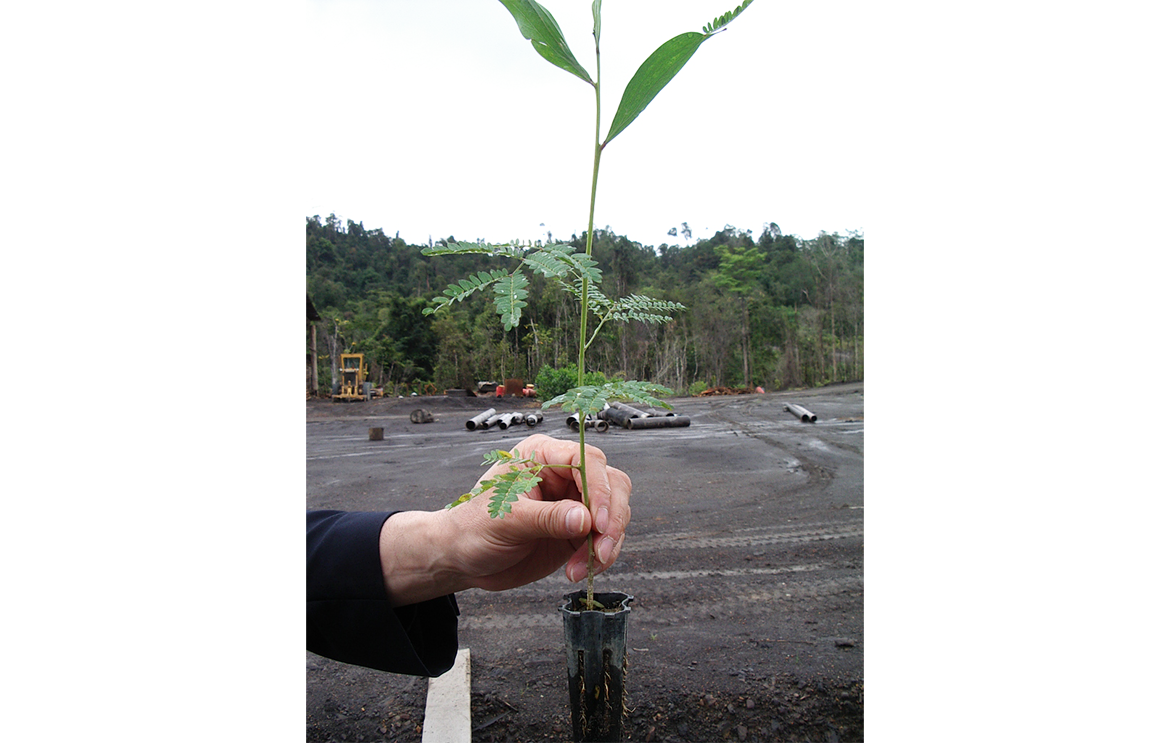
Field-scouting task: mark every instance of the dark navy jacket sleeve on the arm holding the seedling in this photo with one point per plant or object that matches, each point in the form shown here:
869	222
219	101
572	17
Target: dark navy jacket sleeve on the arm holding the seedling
349	616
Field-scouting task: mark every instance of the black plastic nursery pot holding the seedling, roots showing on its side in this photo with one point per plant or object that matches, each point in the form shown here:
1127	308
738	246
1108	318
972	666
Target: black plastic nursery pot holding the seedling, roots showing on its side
596	651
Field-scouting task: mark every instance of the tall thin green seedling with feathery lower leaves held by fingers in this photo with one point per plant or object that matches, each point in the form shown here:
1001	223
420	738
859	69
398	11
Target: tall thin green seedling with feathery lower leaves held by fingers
577	273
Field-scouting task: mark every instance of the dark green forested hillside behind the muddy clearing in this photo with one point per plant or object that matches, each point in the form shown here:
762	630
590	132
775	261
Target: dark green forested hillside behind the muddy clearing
772	311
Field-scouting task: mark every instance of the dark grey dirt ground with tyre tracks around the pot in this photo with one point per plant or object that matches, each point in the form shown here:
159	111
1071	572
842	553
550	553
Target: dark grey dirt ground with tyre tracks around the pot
745	558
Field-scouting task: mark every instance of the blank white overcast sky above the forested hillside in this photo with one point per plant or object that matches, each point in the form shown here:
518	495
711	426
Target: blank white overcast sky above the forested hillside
439	119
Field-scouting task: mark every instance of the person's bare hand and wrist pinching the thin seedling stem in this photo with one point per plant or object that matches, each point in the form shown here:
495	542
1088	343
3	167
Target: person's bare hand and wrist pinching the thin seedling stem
466	548
